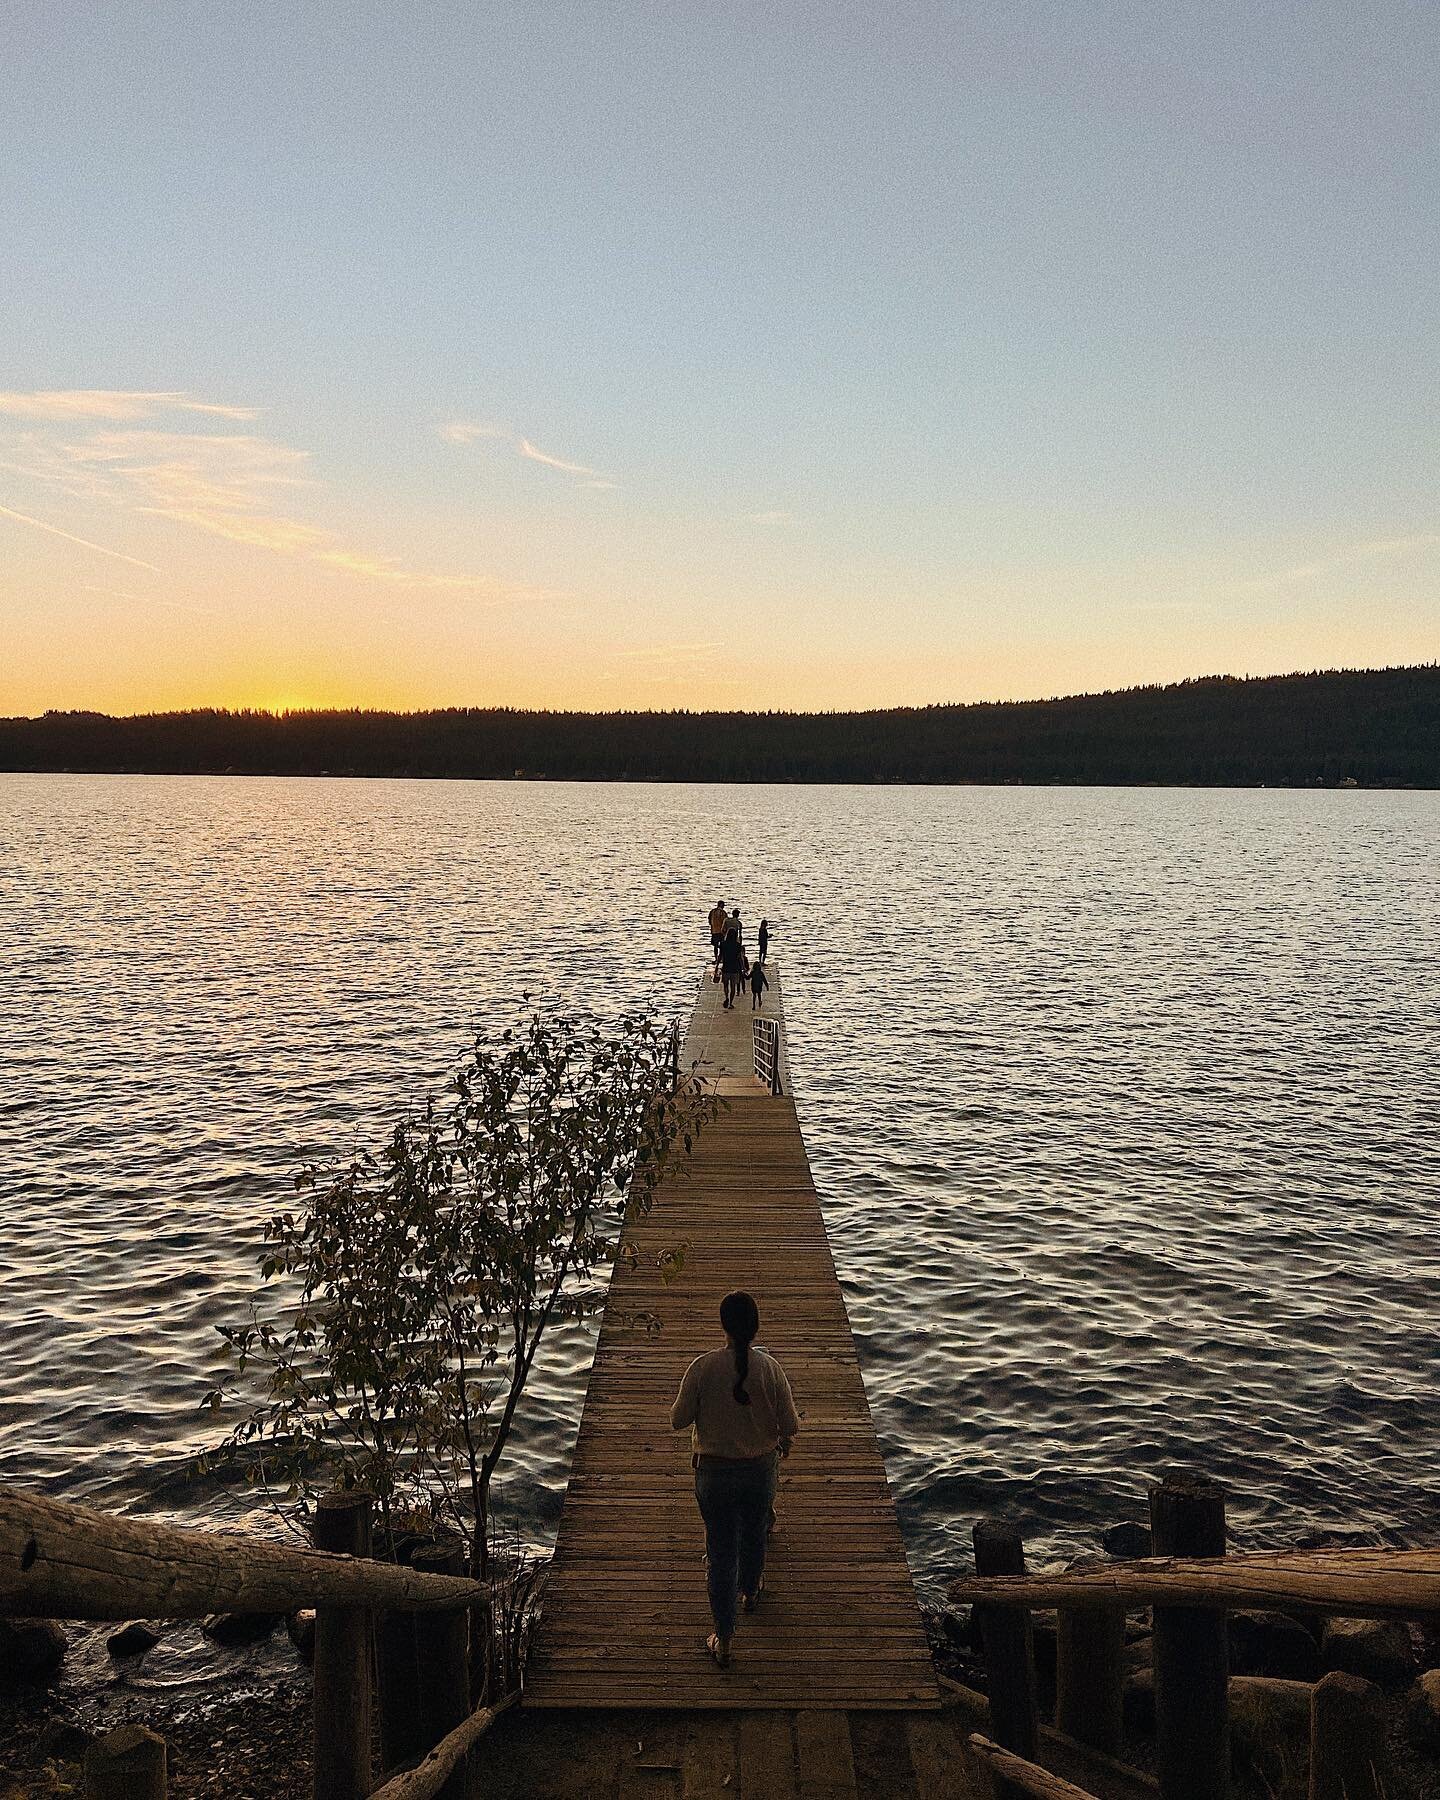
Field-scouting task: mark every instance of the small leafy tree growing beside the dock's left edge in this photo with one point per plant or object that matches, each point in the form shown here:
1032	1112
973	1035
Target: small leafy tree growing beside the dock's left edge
424	1279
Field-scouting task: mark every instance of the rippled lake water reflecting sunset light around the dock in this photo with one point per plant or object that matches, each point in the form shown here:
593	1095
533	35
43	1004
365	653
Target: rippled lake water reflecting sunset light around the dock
1122	1106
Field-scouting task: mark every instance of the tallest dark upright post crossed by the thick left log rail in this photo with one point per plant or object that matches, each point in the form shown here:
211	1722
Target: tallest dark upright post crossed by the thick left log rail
343	1660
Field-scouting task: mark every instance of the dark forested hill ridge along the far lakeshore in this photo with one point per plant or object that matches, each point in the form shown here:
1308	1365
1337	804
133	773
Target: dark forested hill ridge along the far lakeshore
1369	726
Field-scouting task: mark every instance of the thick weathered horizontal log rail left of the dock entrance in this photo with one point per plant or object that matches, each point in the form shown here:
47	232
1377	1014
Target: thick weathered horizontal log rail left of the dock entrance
62	1561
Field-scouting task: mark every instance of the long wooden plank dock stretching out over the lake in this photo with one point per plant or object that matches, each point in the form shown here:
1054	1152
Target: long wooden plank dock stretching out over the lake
625	1603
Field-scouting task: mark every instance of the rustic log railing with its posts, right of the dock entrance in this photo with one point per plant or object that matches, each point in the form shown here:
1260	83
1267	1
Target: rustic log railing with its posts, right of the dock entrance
1191	1587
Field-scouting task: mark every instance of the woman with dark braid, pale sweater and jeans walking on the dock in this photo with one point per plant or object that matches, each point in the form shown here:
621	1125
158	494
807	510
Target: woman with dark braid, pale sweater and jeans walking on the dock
742	1417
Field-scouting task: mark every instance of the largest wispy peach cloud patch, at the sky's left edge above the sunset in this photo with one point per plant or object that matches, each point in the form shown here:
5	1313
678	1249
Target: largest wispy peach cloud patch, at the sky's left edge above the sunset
229	485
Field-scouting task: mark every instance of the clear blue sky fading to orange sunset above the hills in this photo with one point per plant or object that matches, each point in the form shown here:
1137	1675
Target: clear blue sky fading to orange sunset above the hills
652	355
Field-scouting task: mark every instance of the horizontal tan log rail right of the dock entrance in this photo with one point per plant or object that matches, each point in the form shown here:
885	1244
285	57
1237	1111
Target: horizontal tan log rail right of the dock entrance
1345	1583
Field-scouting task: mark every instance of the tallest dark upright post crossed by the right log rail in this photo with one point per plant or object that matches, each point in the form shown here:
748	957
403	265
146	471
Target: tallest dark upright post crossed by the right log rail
1191	1650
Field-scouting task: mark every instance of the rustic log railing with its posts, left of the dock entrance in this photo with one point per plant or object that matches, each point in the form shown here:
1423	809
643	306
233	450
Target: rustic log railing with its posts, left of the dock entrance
64	1561
